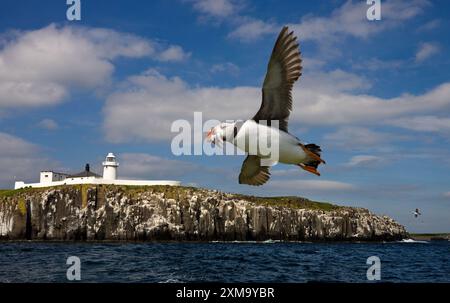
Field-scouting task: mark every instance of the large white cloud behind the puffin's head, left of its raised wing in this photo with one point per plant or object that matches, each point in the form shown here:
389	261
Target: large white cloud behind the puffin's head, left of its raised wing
149	103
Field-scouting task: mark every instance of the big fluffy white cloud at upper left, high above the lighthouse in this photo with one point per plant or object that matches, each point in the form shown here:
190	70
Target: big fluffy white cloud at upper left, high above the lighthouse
39	67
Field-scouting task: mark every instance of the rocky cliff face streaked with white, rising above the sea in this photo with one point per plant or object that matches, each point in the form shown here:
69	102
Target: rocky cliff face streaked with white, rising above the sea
180	213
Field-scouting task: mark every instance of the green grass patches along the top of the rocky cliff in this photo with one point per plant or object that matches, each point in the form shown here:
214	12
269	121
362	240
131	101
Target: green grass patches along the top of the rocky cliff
180	192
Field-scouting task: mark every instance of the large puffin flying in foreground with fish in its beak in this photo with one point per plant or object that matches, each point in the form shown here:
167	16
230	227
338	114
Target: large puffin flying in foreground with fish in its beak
283	70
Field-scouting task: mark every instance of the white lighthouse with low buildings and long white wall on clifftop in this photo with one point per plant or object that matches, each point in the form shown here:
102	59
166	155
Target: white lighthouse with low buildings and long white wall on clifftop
110	165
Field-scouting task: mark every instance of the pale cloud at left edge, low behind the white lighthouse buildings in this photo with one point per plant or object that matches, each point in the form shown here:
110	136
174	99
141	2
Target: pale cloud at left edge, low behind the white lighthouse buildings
20	159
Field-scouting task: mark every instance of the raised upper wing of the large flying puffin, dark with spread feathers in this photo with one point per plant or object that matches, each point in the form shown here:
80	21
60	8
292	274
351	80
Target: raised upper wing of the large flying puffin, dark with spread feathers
283	70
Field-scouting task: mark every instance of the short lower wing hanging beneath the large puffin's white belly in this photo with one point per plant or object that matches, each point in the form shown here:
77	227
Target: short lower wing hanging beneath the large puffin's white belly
252	173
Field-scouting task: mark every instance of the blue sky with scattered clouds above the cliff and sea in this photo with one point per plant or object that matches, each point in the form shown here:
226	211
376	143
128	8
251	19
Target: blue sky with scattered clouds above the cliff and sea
375	95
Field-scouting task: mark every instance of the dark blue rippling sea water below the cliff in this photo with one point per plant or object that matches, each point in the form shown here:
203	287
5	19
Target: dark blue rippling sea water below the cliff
224	262
